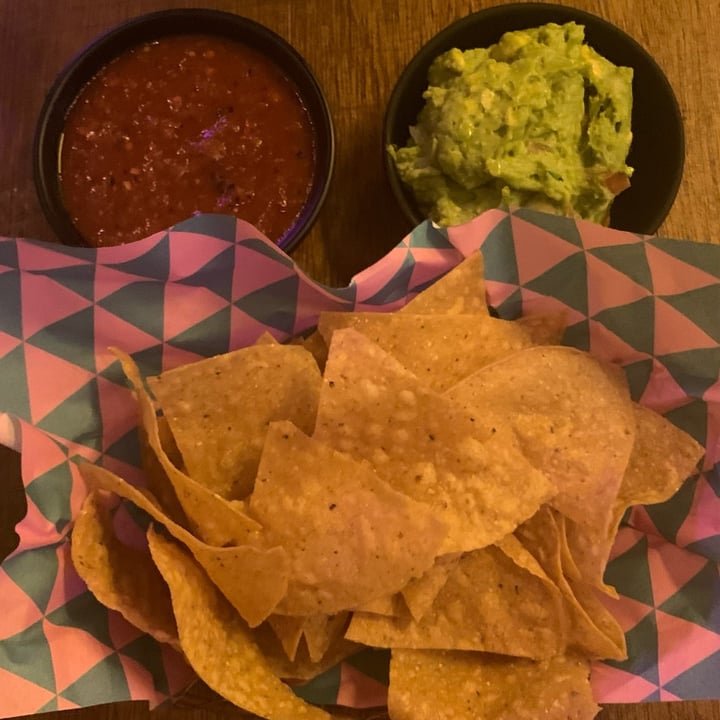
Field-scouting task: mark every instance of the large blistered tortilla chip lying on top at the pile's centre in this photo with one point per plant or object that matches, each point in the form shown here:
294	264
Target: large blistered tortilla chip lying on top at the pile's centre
426	446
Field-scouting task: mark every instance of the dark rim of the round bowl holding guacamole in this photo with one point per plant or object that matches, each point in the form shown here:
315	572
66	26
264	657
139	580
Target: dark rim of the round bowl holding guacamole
438	43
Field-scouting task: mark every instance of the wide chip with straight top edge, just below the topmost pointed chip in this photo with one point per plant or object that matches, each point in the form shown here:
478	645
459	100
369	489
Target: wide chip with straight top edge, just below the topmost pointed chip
440	349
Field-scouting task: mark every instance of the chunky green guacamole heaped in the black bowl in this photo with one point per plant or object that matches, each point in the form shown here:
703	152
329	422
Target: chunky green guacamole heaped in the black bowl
539	120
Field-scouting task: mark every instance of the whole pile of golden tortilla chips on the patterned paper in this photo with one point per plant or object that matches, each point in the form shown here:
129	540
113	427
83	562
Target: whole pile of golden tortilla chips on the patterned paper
435	481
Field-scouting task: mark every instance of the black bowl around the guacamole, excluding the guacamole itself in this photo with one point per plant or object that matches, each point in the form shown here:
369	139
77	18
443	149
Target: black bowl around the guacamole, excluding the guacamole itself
657	153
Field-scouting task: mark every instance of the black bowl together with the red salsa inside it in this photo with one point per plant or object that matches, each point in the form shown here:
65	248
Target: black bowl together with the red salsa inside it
179	120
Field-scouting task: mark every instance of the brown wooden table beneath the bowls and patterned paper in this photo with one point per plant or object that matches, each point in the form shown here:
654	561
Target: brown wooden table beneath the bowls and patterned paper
357	48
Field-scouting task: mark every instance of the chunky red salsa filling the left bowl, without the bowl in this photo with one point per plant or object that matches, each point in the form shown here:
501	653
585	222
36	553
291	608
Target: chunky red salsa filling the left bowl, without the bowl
183	125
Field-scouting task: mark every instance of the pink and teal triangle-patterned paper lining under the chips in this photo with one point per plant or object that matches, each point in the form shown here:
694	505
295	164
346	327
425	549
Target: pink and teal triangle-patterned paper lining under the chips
211	284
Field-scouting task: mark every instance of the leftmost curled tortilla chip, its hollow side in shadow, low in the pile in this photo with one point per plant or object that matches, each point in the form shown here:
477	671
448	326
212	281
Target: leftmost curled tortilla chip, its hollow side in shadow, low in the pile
120	577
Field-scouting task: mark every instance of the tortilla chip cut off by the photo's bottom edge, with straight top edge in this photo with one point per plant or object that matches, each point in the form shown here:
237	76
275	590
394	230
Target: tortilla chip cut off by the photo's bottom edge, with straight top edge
426	685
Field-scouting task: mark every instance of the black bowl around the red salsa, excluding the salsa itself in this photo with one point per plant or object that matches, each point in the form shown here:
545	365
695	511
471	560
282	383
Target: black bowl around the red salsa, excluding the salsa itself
86	64
